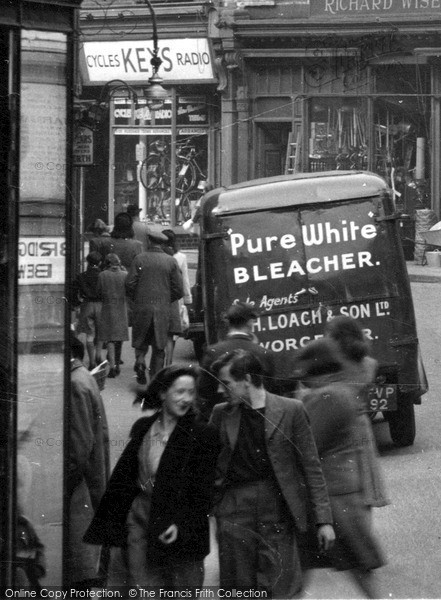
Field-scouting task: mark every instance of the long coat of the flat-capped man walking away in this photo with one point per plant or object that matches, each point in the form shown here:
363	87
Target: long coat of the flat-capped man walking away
153	282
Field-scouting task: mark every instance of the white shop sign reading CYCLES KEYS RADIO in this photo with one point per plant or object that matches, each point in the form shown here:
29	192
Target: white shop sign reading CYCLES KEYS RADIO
182	60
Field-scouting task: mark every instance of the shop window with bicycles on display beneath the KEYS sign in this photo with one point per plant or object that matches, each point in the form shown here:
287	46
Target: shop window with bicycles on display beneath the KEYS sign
143	164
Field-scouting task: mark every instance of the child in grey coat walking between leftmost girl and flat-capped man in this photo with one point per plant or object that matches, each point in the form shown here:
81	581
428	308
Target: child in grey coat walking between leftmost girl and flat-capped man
113	327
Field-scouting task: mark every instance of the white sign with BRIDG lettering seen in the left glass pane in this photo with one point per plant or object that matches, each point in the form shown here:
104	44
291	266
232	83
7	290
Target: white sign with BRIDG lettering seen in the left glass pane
41	260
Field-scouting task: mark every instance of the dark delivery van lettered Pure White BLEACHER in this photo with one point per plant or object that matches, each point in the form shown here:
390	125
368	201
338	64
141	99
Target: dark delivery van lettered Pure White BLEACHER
303	249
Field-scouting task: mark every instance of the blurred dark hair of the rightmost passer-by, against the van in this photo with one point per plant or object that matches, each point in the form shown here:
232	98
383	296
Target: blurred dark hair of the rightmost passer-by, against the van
349	336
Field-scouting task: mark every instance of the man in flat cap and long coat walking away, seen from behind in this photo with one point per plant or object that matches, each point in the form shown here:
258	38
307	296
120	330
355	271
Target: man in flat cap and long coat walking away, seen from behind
154	281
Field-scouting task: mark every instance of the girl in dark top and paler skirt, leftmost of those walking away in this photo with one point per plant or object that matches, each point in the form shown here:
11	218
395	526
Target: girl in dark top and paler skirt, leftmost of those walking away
85	295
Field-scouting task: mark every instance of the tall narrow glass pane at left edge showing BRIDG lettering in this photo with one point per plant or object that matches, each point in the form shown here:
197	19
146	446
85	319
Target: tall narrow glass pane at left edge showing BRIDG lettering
41	292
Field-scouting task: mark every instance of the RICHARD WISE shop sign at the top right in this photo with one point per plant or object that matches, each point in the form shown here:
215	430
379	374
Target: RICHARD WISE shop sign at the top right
336	9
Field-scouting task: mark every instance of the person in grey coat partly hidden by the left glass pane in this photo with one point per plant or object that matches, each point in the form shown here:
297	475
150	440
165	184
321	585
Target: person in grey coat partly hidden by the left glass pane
87	471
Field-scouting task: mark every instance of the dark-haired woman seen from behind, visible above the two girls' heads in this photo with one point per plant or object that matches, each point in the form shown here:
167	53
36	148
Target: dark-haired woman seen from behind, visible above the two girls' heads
121	241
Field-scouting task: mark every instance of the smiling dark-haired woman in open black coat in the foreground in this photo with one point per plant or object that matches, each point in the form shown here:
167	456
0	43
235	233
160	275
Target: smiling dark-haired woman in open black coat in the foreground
157	502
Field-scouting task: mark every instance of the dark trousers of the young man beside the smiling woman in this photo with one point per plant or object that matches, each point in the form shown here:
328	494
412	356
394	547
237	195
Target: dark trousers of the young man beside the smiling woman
257	544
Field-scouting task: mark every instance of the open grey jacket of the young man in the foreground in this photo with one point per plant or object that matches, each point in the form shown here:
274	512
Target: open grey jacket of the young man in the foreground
292	453
